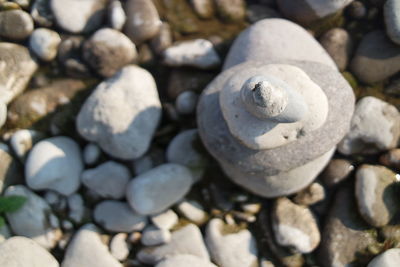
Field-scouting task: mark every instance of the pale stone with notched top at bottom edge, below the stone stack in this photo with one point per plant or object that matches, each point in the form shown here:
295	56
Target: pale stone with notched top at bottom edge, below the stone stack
230	249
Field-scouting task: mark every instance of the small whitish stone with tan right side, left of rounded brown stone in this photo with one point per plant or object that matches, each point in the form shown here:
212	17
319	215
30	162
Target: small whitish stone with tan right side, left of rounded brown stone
44	43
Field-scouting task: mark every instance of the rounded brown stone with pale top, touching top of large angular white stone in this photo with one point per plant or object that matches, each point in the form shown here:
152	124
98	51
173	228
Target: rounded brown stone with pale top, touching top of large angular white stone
108	50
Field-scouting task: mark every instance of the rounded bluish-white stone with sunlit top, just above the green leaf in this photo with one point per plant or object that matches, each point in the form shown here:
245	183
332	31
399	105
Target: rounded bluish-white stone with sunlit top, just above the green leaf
55	163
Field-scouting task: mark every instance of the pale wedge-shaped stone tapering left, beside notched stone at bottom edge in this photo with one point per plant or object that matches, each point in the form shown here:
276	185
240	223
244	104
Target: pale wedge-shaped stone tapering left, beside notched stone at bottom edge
187	240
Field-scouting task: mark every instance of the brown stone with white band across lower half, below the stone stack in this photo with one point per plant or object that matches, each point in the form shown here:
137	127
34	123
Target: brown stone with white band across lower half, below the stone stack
295	226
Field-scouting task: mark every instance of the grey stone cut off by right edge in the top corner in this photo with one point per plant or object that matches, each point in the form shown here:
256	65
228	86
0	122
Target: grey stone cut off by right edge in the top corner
392	20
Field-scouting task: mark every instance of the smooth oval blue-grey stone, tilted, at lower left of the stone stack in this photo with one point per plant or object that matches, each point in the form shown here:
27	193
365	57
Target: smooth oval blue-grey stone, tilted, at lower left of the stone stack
159	188
